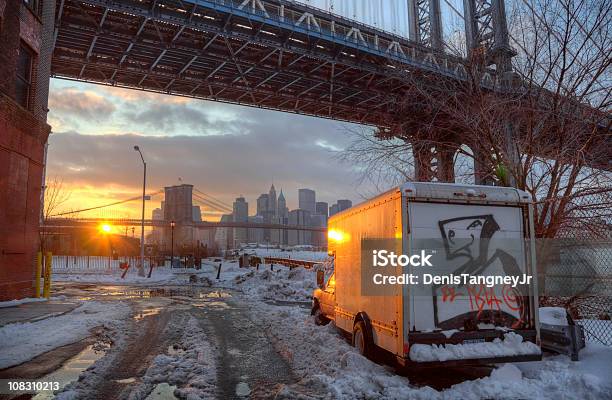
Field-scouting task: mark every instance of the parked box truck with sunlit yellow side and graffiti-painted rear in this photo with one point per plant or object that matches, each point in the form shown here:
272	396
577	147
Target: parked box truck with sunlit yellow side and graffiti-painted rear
465	231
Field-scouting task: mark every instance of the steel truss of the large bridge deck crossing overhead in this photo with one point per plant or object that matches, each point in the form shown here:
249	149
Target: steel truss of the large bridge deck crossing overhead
266	53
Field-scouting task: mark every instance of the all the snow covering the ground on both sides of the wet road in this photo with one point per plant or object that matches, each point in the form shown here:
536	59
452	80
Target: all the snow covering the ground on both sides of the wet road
326	364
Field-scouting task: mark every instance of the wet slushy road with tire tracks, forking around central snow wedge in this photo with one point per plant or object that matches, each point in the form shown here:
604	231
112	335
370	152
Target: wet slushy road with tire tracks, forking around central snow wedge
247	365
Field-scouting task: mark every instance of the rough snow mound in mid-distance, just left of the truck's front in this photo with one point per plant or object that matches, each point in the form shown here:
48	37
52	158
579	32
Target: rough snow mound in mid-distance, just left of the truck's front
281	284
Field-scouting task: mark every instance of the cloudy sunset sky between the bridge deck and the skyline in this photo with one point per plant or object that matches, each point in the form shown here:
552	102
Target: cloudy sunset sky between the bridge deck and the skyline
224	150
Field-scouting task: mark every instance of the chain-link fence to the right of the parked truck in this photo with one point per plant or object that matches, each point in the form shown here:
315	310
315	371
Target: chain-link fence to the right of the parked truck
575	272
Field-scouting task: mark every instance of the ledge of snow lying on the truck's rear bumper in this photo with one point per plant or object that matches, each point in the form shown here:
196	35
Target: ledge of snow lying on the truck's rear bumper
512	345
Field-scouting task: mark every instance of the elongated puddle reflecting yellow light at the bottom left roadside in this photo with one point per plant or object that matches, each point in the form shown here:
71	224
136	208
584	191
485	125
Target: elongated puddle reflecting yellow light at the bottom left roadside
71	370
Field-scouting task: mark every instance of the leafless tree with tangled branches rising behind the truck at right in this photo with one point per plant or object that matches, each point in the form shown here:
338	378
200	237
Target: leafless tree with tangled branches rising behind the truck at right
544	128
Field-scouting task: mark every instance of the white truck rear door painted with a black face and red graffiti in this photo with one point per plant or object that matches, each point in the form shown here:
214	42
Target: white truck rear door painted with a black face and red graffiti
468	239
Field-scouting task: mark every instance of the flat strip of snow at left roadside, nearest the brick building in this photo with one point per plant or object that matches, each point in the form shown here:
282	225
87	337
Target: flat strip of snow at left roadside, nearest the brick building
20	342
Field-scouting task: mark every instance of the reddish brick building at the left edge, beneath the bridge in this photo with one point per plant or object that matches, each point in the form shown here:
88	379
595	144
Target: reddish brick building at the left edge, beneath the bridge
26	42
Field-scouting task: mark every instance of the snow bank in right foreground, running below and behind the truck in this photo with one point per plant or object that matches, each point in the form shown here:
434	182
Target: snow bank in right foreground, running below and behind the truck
331	368
